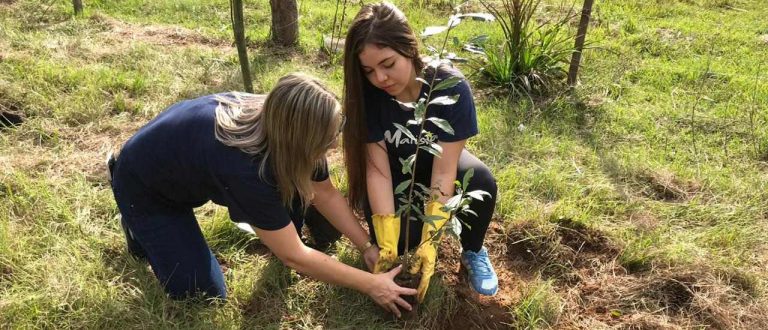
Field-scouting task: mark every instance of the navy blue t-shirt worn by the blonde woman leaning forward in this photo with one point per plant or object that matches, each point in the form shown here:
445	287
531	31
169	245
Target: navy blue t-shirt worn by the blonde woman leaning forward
176	163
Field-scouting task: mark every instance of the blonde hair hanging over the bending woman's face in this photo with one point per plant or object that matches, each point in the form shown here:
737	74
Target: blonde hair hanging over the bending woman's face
292	129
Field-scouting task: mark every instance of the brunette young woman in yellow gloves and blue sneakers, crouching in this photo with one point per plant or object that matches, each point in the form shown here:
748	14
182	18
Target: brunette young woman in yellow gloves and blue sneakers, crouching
381	64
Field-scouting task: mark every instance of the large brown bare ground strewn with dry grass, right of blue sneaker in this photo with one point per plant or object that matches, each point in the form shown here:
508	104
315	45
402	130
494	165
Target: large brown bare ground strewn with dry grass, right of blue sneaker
599	293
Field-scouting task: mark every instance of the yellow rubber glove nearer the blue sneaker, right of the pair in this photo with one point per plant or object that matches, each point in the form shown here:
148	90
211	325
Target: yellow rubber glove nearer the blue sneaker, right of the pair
426	255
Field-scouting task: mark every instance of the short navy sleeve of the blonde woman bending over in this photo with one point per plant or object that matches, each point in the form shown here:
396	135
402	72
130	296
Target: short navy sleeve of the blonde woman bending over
251	200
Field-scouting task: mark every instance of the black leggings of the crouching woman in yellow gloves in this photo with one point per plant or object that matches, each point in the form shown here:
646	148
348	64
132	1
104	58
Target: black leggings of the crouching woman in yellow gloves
471	239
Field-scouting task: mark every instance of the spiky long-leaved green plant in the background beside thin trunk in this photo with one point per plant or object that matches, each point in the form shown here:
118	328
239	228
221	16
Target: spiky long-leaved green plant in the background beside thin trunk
533	57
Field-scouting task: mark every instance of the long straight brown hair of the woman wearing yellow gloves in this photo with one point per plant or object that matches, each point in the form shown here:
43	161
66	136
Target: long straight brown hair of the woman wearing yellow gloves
383	25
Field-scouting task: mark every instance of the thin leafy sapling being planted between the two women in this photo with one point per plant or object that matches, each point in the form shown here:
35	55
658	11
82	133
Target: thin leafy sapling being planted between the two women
459	203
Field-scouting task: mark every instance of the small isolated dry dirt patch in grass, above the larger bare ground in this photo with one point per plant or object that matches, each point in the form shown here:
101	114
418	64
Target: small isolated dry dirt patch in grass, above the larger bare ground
665	186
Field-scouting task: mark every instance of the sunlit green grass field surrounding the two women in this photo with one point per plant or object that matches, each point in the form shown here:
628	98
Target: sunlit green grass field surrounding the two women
639	201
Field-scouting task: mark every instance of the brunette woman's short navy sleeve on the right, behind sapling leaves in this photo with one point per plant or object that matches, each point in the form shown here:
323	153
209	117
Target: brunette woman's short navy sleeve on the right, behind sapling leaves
461	115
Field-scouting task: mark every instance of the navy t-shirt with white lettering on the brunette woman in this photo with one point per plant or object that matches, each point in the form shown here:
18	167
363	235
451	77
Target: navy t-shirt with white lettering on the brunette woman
382	111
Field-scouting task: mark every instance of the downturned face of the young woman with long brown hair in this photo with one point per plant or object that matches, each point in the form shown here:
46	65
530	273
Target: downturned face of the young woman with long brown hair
389	71
